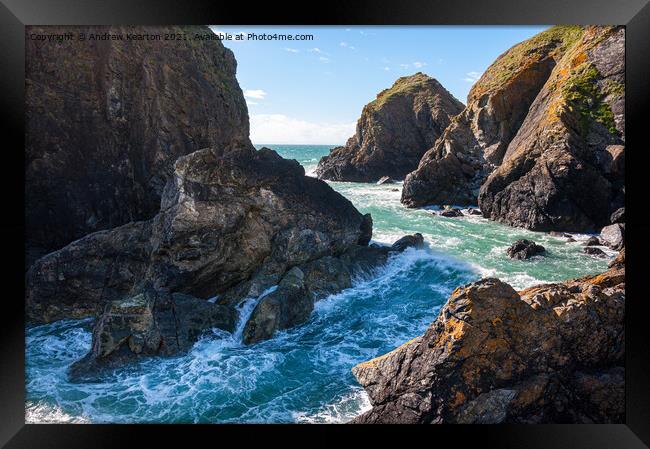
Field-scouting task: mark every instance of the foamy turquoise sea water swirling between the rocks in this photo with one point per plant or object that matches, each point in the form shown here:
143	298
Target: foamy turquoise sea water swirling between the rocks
301	375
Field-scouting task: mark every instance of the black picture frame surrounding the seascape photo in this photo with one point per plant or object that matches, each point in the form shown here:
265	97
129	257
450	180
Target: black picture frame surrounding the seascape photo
16	14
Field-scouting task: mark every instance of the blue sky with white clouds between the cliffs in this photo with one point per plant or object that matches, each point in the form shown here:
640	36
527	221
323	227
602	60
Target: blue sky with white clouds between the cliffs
313	91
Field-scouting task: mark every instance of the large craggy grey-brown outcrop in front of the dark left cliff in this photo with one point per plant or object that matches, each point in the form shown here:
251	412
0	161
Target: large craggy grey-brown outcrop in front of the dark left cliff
226	217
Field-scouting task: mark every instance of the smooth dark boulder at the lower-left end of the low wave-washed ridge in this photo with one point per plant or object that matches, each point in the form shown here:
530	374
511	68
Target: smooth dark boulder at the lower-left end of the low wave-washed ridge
290	304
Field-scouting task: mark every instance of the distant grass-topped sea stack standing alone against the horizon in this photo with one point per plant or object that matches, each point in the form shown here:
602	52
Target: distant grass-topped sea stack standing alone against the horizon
393	133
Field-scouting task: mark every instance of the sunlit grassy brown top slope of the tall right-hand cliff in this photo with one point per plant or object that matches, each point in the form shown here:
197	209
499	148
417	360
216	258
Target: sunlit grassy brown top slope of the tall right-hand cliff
551	42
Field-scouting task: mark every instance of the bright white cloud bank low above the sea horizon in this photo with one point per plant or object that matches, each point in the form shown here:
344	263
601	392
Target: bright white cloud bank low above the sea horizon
279	128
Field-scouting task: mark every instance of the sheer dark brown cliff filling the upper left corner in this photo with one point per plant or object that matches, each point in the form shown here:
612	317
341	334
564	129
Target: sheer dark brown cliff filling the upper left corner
106	120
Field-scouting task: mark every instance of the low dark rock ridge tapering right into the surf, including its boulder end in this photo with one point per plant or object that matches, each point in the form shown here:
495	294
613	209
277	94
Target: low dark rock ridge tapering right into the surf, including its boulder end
292	302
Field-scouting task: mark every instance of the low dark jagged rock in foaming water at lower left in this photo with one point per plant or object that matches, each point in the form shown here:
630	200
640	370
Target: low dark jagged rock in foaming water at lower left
150	323
